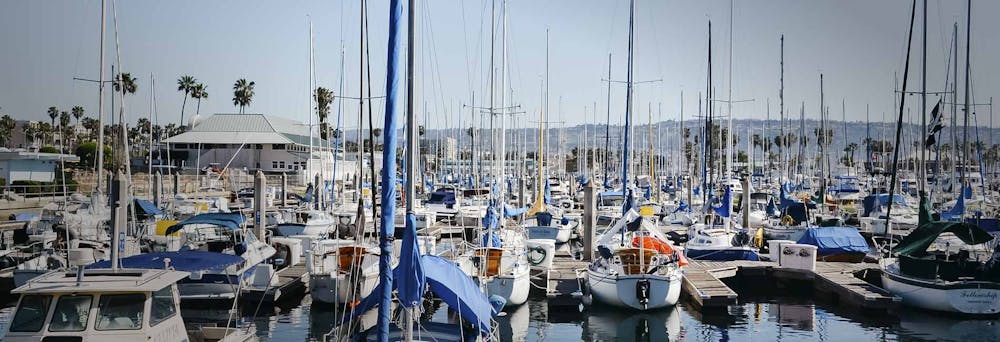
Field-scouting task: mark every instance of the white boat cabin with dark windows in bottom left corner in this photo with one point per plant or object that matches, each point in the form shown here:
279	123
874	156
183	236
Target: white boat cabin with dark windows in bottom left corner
99	305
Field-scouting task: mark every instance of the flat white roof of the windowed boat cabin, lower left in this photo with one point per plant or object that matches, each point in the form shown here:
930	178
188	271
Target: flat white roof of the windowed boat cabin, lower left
103	280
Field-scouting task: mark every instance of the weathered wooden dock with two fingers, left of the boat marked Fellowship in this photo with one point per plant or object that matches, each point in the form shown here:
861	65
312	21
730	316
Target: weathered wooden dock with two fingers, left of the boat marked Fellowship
834	280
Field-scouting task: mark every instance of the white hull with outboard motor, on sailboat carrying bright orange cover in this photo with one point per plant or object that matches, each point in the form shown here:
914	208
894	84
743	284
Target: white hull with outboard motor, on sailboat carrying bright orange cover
620	290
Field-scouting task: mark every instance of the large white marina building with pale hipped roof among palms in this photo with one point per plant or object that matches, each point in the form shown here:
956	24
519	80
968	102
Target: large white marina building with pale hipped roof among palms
256	142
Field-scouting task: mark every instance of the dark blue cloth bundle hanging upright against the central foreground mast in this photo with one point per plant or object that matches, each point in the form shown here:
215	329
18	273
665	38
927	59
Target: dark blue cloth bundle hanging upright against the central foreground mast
409	277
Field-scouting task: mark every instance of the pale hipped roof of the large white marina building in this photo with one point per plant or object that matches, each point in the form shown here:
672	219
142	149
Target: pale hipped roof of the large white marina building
247	128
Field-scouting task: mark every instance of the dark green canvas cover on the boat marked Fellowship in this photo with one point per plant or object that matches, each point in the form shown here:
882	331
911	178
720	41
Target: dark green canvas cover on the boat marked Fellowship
915	244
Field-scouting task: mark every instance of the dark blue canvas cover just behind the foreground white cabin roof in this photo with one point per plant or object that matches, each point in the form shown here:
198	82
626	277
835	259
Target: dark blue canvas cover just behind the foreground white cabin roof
187	261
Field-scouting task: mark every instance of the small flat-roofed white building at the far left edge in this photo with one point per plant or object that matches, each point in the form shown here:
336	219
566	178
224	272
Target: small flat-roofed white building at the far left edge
31	166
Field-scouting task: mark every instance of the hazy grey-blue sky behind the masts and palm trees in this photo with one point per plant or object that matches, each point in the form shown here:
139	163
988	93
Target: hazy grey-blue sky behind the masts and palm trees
857	44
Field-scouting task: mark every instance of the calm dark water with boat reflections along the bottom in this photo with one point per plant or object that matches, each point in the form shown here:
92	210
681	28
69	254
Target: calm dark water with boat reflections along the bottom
765	319
